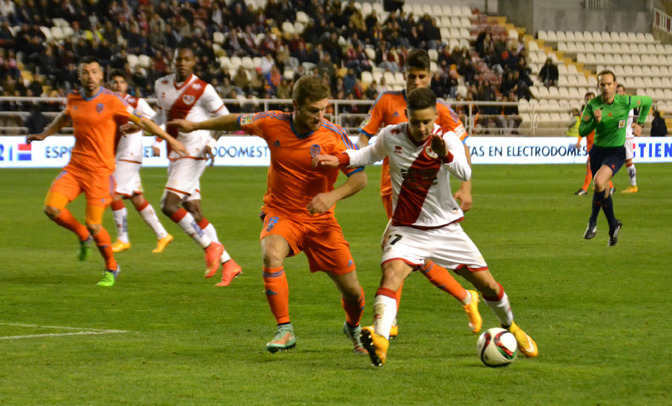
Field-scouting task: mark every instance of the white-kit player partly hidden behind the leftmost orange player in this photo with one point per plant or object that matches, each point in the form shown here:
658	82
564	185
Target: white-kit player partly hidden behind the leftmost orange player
127	173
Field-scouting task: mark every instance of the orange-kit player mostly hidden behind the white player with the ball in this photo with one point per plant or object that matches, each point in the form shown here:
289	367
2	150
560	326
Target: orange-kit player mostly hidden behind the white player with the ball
390	108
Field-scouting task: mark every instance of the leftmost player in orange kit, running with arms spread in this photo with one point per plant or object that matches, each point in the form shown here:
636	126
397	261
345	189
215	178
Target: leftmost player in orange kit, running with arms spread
95	114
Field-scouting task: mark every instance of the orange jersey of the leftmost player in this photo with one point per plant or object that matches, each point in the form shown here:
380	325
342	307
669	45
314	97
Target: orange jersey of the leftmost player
95	122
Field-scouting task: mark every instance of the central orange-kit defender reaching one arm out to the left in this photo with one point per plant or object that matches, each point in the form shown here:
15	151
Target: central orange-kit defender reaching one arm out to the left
298	211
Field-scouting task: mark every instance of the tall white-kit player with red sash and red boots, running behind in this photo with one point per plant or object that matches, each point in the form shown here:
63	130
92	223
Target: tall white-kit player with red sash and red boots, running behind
184	95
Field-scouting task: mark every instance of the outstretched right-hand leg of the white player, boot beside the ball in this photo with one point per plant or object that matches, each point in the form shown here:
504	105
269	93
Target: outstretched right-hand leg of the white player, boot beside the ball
496	298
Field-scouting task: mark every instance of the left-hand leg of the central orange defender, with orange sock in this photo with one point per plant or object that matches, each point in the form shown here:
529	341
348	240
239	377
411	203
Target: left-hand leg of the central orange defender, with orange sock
275	249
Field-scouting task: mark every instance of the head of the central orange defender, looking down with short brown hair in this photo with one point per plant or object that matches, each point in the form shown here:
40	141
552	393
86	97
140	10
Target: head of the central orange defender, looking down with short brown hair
310	100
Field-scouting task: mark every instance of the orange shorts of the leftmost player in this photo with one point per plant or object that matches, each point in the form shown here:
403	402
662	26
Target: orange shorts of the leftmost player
97	187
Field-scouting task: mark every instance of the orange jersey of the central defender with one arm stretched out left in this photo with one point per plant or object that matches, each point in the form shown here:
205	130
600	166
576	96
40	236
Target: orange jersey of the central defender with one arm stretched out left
292	181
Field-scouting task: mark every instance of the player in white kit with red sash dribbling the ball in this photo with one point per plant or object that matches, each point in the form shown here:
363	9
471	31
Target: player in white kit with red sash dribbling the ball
425	217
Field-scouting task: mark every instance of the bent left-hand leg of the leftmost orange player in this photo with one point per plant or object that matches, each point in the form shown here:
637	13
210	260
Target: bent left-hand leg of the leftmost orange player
63	190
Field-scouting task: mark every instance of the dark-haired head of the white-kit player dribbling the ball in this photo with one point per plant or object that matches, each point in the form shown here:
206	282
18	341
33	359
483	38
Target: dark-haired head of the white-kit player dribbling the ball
421	112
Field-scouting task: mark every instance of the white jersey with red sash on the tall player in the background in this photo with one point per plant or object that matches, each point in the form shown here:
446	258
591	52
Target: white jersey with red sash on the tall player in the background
194	100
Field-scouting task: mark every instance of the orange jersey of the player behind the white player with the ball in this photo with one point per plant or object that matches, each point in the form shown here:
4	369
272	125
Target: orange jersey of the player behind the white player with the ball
390	108
